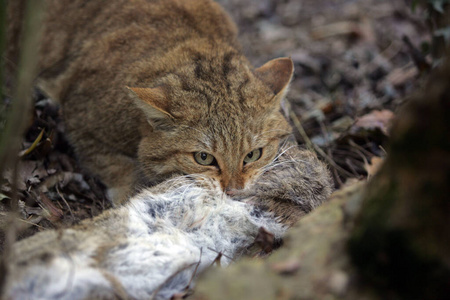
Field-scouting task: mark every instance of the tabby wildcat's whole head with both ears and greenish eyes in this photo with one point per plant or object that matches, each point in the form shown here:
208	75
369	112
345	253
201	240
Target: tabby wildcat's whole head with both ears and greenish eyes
218	118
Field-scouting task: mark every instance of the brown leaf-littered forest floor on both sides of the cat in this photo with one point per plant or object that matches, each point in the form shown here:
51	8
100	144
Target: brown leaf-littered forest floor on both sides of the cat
355	64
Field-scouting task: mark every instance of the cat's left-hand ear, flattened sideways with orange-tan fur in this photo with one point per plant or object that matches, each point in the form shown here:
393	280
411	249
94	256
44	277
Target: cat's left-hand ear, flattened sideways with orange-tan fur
153	102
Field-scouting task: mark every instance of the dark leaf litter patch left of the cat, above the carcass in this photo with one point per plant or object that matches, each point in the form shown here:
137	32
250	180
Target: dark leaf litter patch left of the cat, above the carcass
54	191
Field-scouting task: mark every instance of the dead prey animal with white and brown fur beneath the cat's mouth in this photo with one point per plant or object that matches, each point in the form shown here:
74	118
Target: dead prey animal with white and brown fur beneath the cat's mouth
153	246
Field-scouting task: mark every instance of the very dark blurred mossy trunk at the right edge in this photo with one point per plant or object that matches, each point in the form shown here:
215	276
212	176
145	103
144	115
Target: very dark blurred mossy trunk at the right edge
402	239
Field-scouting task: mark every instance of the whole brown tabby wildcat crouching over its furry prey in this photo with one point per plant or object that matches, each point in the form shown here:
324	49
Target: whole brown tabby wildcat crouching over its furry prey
151	88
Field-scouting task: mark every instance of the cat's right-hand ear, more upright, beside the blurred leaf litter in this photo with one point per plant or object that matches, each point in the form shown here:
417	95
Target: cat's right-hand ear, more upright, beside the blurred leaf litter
276	74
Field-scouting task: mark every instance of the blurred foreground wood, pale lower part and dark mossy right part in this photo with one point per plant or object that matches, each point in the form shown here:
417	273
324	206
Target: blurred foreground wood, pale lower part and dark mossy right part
388	239
